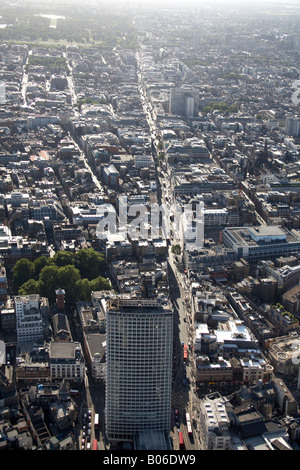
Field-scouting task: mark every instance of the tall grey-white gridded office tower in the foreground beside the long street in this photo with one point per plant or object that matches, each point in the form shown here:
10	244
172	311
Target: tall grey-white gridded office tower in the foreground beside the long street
139	348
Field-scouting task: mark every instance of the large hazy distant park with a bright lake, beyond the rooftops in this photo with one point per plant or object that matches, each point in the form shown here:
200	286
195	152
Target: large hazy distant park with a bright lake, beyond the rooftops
93	26
